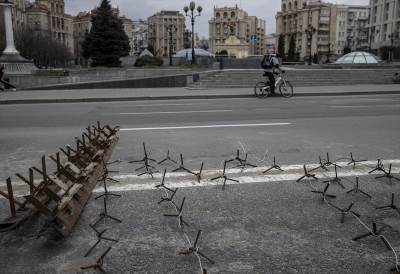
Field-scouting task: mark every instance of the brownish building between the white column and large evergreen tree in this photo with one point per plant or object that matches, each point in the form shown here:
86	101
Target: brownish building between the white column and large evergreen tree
49	18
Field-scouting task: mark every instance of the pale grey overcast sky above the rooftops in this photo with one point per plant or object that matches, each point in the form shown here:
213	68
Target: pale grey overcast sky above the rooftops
141	9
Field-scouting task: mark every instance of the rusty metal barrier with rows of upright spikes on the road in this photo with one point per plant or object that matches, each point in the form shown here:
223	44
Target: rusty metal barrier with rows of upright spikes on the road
61	195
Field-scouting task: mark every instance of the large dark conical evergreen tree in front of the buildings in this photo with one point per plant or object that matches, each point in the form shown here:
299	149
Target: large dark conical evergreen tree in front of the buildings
107	41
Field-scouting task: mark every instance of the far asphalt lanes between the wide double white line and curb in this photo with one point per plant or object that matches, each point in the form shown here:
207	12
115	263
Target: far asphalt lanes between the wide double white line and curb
295	130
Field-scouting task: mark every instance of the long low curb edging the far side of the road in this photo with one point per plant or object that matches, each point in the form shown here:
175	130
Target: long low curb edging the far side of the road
182	97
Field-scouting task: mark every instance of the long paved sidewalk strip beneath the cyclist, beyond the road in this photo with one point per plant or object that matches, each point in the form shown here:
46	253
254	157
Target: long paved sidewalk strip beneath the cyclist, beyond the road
113	95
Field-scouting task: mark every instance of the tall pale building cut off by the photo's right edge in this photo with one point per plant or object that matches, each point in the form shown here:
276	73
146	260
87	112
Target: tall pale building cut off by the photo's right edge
384	25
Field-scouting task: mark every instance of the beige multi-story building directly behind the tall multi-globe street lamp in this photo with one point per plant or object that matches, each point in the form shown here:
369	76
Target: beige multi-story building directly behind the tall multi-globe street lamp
158	33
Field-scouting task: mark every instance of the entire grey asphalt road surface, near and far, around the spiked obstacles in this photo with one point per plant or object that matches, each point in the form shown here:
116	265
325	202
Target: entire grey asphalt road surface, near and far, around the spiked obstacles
260	227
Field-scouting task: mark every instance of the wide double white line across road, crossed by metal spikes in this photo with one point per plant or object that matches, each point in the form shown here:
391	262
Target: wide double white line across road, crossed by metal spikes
132	182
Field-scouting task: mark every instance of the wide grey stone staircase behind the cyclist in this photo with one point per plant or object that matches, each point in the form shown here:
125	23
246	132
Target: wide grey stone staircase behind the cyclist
298	77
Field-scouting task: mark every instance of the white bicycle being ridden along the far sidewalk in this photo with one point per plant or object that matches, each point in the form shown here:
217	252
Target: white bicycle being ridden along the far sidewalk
262	89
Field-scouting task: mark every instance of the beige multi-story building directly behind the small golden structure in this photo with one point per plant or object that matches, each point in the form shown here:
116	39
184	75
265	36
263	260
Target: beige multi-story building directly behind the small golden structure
233	21
